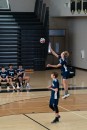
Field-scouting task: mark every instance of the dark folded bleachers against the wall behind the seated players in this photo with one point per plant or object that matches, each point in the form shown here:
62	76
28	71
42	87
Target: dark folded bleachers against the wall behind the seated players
20	34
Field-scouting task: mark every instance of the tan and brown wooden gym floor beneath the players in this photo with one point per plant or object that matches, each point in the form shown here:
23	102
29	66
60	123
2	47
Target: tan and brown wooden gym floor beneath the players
30	110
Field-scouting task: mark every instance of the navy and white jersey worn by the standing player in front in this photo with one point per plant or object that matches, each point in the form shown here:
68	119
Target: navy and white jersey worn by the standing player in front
55	84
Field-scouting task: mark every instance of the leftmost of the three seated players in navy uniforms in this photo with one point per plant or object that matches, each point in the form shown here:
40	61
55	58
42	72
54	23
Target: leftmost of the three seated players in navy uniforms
4	78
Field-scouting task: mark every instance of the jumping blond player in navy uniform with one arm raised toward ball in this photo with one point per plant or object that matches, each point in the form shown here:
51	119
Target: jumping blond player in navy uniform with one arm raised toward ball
64	70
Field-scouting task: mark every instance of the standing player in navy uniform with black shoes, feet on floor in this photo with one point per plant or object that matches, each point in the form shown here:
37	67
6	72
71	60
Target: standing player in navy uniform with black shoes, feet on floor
54	99
